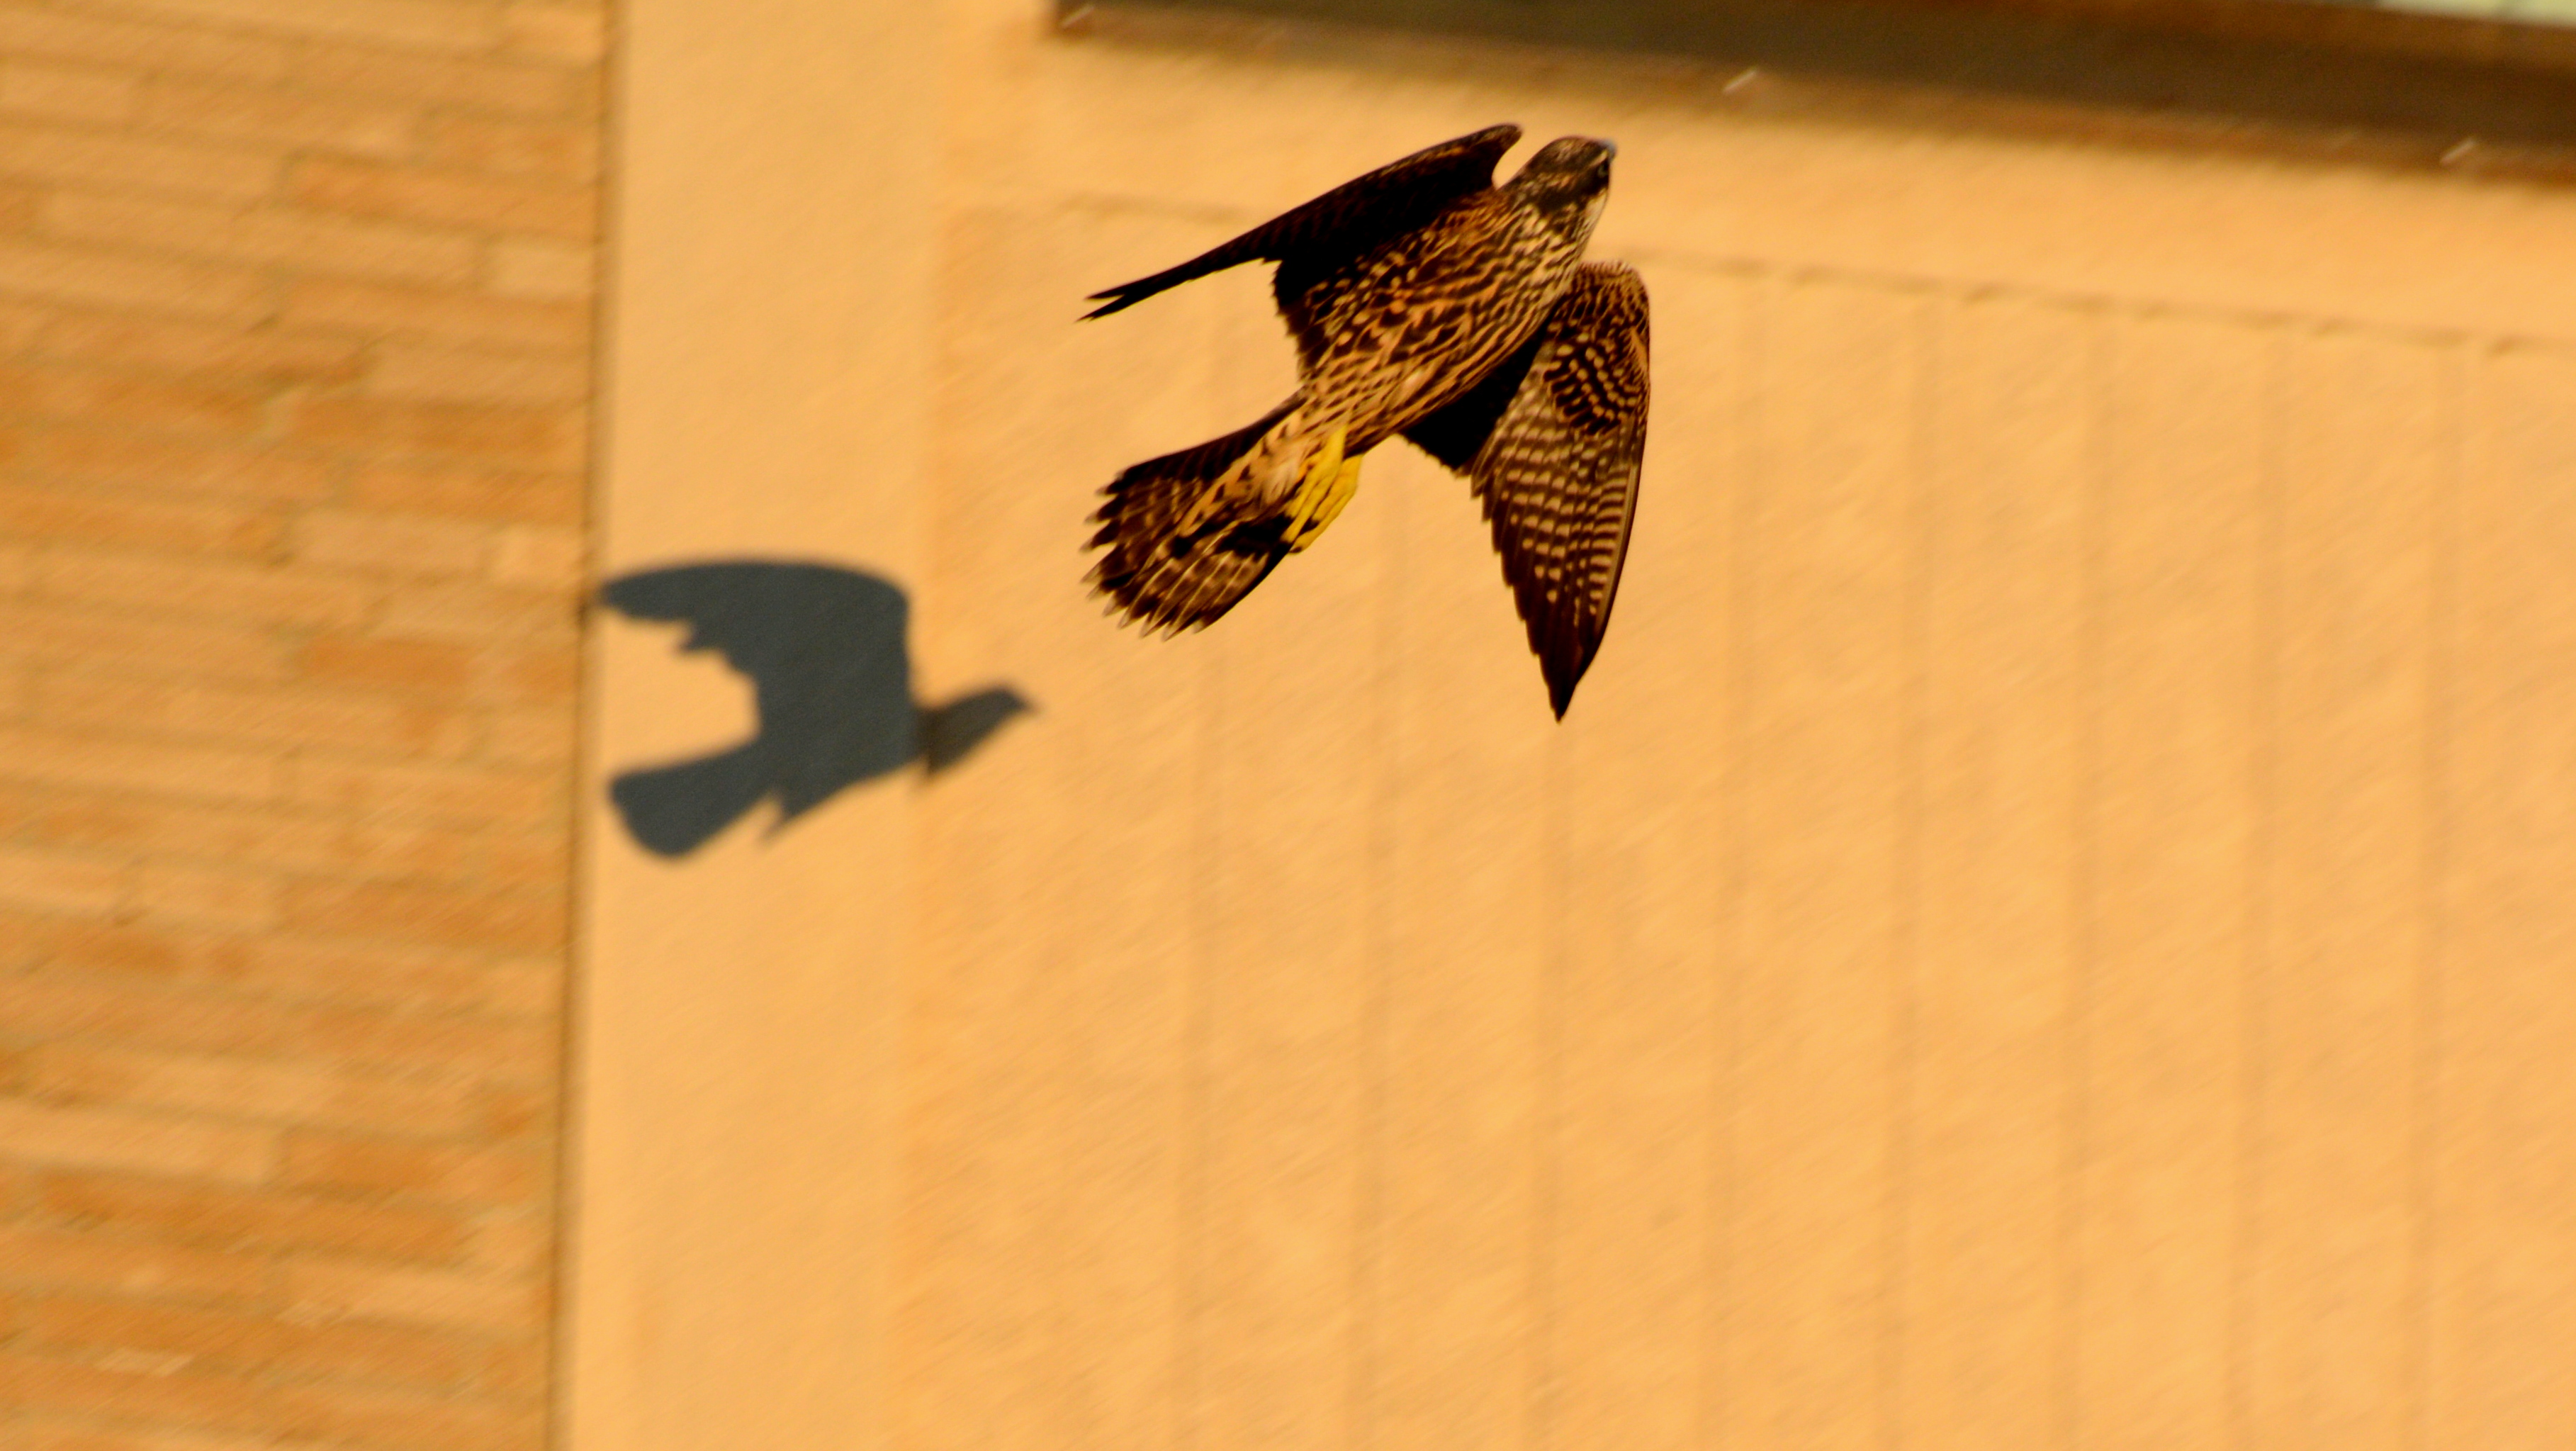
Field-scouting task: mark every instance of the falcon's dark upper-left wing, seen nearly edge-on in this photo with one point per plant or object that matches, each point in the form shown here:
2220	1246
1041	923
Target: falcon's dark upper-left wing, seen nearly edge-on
1349	220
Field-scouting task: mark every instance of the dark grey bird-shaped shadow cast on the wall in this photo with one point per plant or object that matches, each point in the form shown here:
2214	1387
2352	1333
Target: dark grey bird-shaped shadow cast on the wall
831	671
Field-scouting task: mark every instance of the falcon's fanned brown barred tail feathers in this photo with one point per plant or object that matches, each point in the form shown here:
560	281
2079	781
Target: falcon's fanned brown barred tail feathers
1168	573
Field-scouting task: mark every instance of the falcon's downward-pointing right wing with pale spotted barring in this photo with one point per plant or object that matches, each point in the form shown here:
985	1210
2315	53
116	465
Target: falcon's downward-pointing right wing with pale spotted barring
1557	465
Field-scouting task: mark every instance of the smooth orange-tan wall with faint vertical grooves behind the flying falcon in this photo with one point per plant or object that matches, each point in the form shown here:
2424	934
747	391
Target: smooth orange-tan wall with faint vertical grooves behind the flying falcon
2047	927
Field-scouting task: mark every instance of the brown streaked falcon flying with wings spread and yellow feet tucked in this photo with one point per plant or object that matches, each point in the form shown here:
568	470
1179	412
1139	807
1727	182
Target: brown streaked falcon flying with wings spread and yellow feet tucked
1434	305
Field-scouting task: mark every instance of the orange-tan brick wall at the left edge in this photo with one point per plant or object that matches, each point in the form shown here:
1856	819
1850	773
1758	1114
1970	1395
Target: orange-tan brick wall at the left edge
295	354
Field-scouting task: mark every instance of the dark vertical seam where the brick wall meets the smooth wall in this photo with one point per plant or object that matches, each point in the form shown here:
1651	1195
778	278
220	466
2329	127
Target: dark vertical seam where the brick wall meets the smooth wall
586	749
